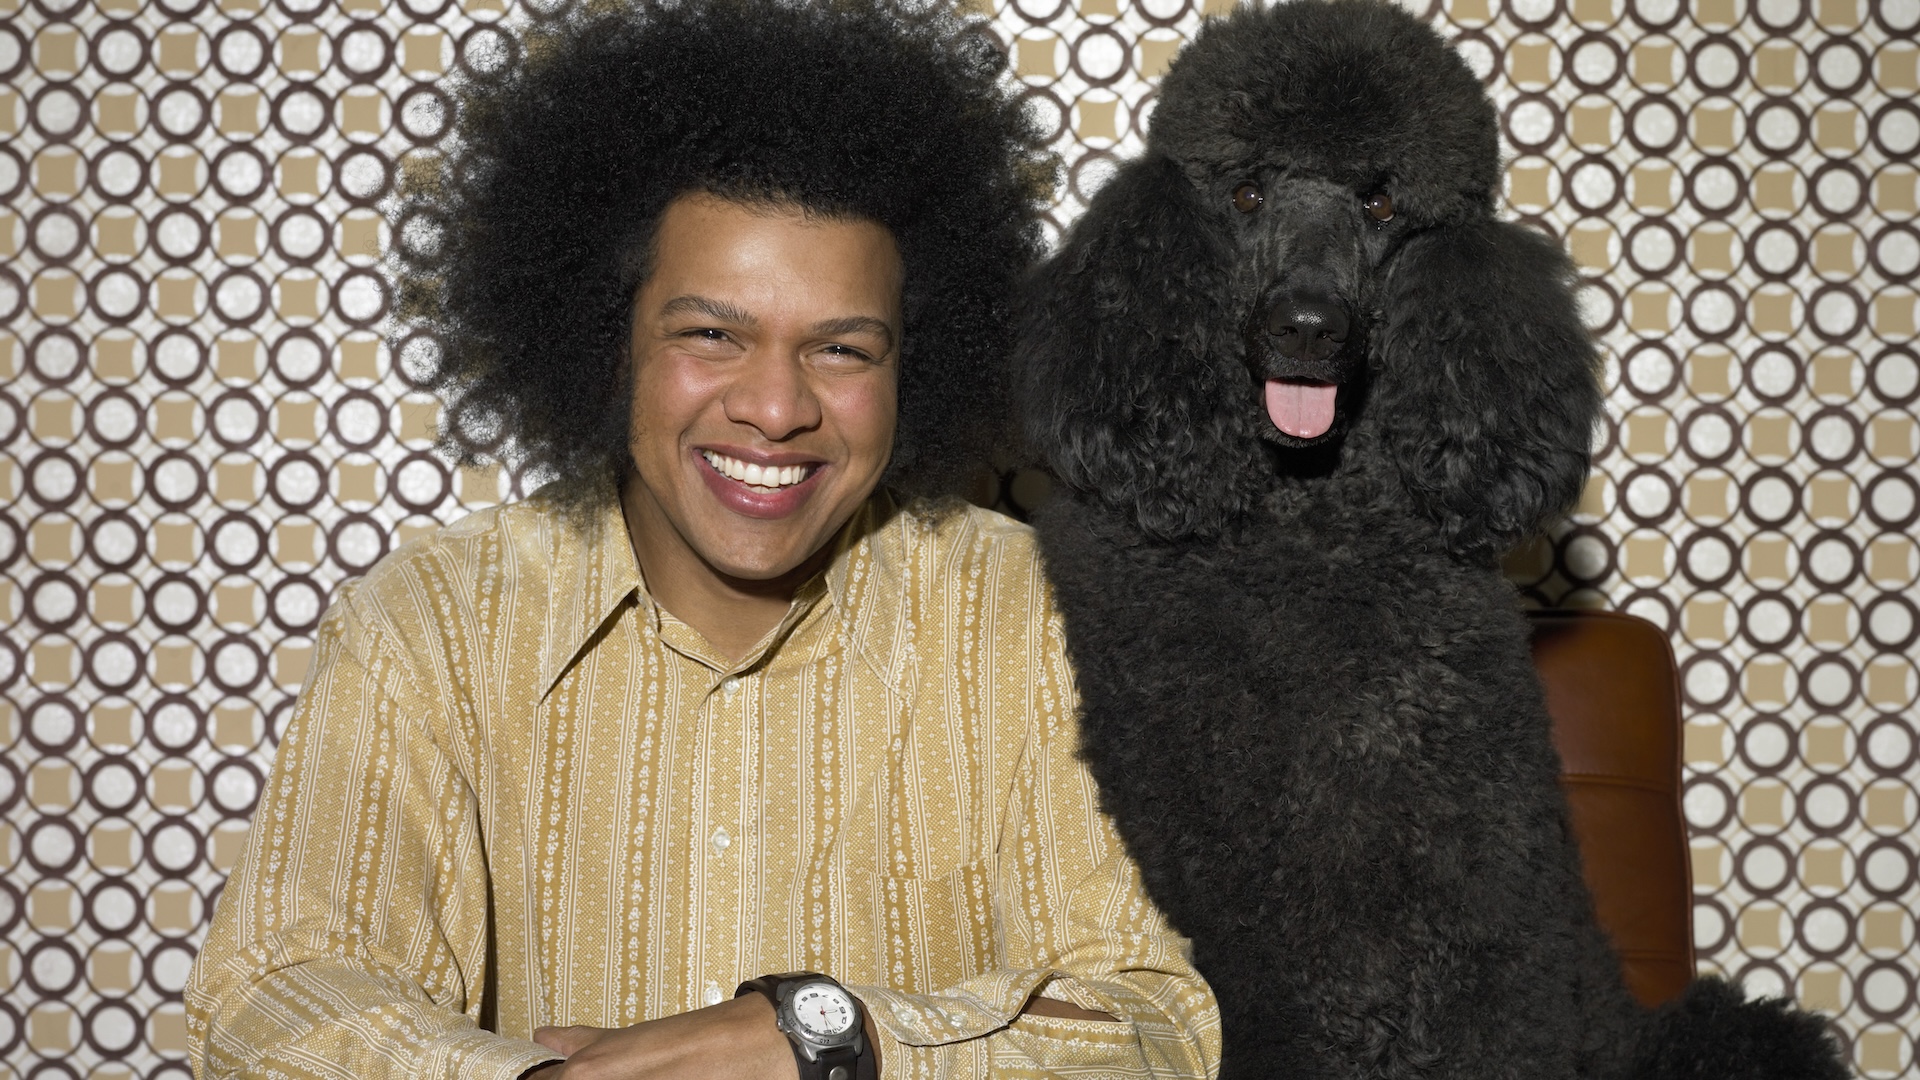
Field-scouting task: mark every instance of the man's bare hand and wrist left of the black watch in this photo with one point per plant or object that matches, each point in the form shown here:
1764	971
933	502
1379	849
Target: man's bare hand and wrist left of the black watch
732	1041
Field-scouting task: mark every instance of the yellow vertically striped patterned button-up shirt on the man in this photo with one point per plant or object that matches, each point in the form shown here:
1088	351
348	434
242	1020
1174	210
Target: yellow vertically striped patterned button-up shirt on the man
517	793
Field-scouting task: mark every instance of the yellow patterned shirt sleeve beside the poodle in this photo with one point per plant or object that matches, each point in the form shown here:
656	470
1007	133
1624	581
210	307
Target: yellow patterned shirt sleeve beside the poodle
1078	929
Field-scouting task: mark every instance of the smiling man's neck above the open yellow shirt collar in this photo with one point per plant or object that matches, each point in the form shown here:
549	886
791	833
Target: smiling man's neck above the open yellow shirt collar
732	614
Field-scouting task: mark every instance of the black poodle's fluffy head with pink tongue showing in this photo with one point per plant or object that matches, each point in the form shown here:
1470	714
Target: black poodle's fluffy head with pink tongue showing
1303	280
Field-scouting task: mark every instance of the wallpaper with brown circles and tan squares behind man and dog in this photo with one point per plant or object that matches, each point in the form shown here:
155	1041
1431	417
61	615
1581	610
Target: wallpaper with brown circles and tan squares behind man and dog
203	433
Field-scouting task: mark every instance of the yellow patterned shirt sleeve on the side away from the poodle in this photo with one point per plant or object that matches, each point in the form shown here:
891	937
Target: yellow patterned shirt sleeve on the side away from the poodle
352	937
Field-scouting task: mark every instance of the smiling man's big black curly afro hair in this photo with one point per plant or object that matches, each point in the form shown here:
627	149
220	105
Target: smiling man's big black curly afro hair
521	255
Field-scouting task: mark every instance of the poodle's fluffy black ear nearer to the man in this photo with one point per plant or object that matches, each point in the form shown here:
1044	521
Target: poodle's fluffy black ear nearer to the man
1118	355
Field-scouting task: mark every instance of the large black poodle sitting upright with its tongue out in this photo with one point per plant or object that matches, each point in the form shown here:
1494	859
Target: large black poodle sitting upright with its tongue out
1301	389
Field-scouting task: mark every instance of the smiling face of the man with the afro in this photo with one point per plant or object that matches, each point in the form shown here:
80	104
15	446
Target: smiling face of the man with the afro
765	374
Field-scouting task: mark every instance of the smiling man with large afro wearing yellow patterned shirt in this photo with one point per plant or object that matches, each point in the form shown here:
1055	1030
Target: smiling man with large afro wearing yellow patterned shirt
711	706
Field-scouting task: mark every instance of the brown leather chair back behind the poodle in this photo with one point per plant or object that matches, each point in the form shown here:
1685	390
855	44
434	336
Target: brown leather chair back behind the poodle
1614	695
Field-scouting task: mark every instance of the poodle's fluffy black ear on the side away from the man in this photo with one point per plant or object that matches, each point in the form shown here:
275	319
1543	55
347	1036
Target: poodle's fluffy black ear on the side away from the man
1489	381
